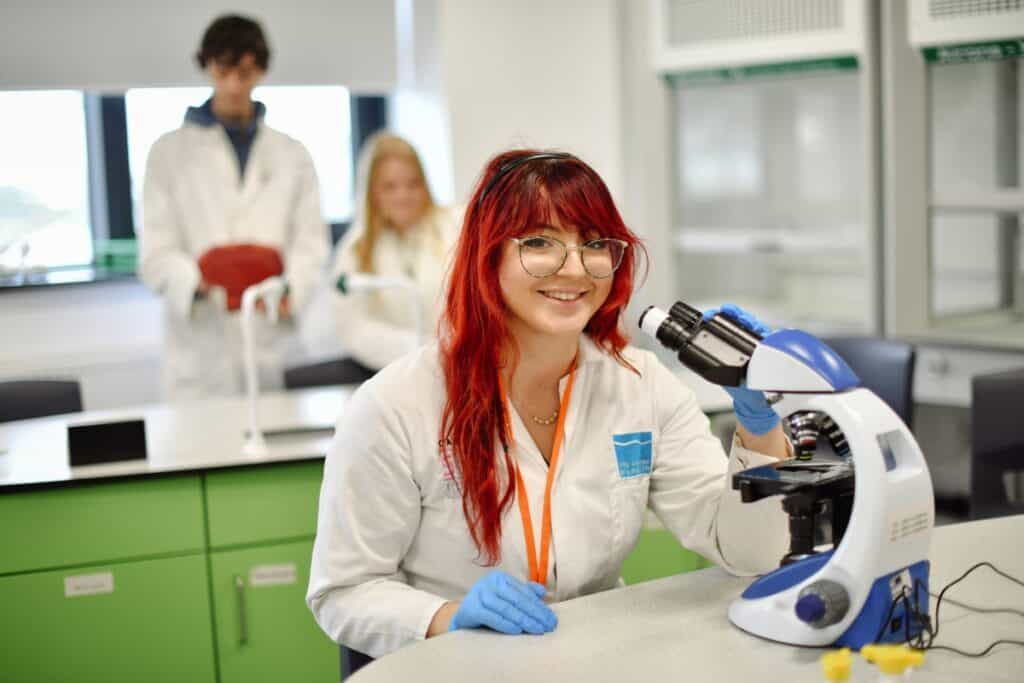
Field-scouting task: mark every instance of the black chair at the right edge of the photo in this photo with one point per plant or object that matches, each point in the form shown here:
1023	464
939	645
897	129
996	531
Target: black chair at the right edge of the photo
997	442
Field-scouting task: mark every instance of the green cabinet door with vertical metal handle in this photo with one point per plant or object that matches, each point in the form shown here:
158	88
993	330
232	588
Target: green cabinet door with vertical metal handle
265	630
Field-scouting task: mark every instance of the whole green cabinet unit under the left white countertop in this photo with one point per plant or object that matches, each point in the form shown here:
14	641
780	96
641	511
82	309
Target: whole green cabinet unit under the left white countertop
141	558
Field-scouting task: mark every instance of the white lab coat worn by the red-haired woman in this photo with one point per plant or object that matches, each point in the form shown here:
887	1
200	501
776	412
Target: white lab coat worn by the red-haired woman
393	545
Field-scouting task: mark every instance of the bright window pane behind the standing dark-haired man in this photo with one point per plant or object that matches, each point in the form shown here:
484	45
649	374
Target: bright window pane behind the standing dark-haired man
317	116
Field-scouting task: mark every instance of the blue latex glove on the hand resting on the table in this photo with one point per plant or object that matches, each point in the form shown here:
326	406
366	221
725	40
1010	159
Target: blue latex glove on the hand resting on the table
504	604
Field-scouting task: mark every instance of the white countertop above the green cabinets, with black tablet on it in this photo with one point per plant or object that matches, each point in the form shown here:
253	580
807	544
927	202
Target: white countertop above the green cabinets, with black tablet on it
195	436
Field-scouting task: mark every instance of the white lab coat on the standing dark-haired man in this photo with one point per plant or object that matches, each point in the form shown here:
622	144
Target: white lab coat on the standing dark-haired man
193	201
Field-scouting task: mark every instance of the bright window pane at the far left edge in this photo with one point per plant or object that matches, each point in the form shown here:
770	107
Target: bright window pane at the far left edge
45	188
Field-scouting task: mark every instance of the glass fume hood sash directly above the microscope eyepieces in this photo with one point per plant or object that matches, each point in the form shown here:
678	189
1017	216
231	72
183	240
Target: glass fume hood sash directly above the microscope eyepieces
771	208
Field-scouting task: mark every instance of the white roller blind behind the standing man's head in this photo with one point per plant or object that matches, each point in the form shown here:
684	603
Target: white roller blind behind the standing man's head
110	46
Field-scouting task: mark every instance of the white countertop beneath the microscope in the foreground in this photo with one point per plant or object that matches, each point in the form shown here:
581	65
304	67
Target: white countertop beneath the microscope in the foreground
676	629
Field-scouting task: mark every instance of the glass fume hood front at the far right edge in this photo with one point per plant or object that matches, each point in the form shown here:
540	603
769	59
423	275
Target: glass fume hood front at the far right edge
977	197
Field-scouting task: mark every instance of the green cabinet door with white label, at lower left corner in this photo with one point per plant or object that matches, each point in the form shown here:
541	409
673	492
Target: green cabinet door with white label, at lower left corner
132	622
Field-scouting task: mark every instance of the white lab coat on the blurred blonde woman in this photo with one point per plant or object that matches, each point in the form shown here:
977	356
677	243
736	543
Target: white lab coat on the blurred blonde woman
375	328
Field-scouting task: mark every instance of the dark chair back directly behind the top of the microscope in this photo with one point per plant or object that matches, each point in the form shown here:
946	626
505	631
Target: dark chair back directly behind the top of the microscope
885	367
